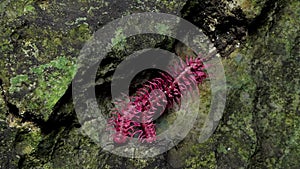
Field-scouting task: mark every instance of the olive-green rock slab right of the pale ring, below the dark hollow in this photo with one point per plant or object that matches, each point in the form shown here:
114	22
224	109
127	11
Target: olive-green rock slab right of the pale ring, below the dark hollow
261	122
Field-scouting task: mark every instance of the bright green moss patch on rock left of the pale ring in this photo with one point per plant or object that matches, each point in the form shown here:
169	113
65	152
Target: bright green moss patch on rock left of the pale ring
48	82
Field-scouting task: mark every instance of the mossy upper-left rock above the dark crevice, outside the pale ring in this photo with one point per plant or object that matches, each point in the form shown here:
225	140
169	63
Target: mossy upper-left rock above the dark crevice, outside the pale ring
40	45
